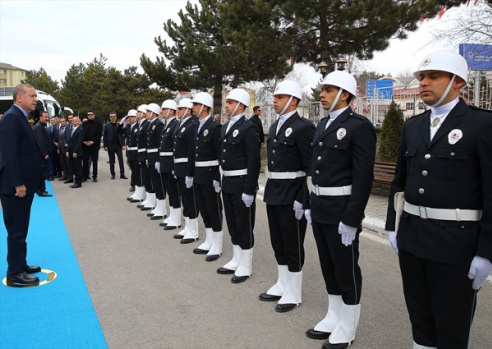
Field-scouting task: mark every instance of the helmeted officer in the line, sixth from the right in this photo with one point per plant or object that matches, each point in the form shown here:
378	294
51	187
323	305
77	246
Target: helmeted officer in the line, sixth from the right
184	170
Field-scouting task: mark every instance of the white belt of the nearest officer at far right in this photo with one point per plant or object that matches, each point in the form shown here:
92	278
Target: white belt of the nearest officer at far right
445	214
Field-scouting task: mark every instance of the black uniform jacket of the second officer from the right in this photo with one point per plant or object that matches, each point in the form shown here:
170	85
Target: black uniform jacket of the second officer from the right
343	154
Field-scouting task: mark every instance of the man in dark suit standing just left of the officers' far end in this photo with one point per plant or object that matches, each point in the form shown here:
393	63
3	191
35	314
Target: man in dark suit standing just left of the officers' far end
114	143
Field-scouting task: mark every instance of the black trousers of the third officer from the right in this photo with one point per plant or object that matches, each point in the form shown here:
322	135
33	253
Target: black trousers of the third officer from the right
287	236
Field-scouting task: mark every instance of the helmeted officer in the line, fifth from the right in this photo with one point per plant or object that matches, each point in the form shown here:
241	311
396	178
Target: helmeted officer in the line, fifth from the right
207	176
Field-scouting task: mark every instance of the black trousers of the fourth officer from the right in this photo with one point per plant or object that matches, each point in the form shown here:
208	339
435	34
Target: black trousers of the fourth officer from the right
240	220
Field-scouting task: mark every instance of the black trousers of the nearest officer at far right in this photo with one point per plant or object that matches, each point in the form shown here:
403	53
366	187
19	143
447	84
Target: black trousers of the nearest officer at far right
440	301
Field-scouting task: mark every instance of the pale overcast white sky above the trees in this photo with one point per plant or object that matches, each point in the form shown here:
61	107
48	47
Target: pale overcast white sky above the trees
57	34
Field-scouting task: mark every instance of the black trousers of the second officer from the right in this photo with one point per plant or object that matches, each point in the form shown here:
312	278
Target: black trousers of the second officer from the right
339	263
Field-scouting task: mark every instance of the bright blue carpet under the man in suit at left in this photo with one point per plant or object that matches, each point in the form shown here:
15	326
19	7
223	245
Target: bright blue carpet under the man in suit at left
60	313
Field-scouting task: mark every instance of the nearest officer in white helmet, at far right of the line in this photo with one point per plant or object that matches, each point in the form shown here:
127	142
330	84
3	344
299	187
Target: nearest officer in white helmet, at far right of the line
444	242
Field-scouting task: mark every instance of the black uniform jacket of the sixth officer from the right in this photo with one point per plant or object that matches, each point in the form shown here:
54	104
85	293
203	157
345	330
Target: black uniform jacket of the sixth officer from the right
184	147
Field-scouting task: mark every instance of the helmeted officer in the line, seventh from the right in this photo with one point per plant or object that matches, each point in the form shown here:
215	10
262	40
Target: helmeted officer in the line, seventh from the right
165	164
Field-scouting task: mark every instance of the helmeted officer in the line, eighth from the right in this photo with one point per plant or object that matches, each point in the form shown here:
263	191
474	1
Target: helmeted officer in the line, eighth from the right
154	131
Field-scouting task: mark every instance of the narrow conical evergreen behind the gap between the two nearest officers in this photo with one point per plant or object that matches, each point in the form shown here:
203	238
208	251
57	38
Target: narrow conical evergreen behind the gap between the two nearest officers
390	135
